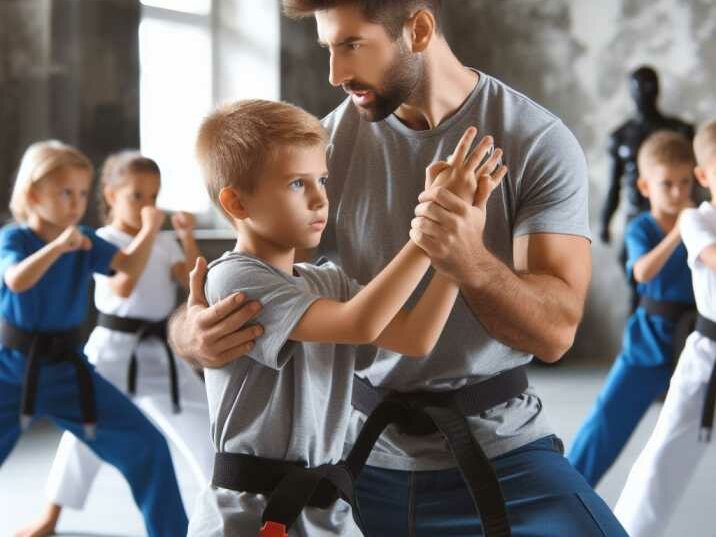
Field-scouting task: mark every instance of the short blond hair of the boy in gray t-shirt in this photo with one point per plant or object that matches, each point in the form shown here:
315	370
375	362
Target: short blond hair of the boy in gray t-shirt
237	140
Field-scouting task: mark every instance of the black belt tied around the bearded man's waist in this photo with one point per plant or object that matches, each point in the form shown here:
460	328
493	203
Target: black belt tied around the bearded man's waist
422	413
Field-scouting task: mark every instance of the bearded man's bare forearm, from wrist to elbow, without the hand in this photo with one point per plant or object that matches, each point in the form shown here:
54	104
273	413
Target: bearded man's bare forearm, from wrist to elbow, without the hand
534	313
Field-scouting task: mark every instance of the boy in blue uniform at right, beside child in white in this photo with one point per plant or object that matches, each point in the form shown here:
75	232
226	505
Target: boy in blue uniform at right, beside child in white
657	262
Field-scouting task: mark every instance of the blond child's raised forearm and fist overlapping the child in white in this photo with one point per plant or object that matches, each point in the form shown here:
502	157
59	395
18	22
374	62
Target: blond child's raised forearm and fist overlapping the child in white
130	262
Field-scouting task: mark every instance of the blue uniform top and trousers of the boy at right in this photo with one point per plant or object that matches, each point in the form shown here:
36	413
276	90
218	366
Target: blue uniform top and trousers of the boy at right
642	371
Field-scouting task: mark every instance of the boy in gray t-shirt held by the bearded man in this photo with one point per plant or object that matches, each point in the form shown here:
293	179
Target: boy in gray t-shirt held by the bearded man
265	167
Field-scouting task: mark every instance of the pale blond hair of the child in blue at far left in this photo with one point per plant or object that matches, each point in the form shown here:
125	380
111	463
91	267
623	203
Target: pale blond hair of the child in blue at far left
39	161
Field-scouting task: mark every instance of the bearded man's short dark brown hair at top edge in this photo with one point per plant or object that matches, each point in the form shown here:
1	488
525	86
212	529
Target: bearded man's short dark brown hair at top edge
392	14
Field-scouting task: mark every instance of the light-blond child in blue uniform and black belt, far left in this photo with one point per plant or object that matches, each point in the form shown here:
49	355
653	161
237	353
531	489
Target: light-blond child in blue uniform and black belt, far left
46	262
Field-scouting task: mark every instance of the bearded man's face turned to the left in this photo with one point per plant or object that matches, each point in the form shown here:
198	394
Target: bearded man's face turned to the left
380	74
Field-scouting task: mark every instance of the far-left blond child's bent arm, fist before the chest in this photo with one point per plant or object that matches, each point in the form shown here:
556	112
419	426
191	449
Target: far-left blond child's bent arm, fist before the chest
29	271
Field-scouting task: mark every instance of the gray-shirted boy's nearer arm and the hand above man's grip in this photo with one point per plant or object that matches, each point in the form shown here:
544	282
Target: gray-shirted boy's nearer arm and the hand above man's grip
365	316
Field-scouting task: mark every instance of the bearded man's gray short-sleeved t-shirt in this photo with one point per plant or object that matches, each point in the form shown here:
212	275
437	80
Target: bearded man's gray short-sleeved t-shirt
377	171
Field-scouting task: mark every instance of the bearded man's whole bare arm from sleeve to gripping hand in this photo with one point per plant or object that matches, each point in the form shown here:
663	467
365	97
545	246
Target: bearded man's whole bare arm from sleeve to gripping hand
534	308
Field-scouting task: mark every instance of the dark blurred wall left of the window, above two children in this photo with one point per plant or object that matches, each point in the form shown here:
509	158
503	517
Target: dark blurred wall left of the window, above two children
69	69
